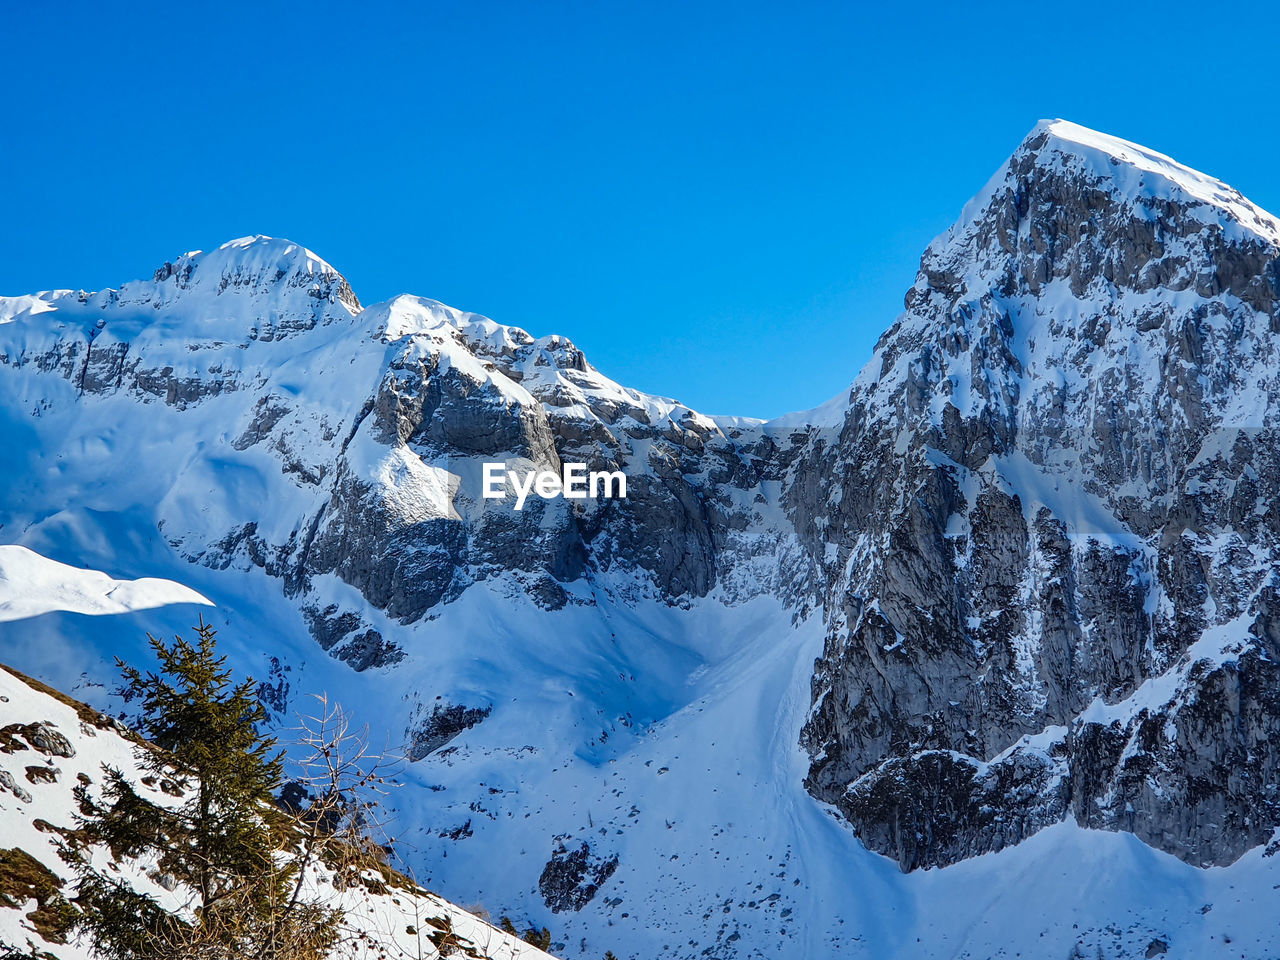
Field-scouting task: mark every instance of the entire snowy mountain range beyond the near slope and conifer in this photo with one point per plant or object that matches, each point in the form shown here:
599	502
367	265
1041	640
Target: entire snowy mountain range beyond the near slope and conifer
1032	552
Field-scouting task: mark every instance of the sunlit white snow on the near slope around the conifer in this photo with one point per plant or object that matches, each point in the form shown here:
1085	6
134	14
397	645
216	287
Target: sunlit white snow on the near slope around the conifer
53	742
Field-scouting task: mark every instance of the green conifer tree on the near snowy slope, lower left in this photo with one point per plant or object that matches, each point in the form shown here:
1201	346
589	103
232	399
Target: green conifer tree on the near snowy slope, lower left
218	842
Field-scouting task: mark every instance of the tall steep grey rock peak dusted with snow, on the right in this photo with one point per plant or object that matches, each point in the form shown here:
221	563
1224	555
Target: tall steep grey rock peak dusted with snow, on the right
1054	501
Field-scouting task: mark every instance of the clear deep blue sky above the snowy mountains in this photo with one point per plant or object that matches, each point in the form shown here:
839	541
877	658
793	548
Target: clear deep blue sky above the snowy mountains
723	203
